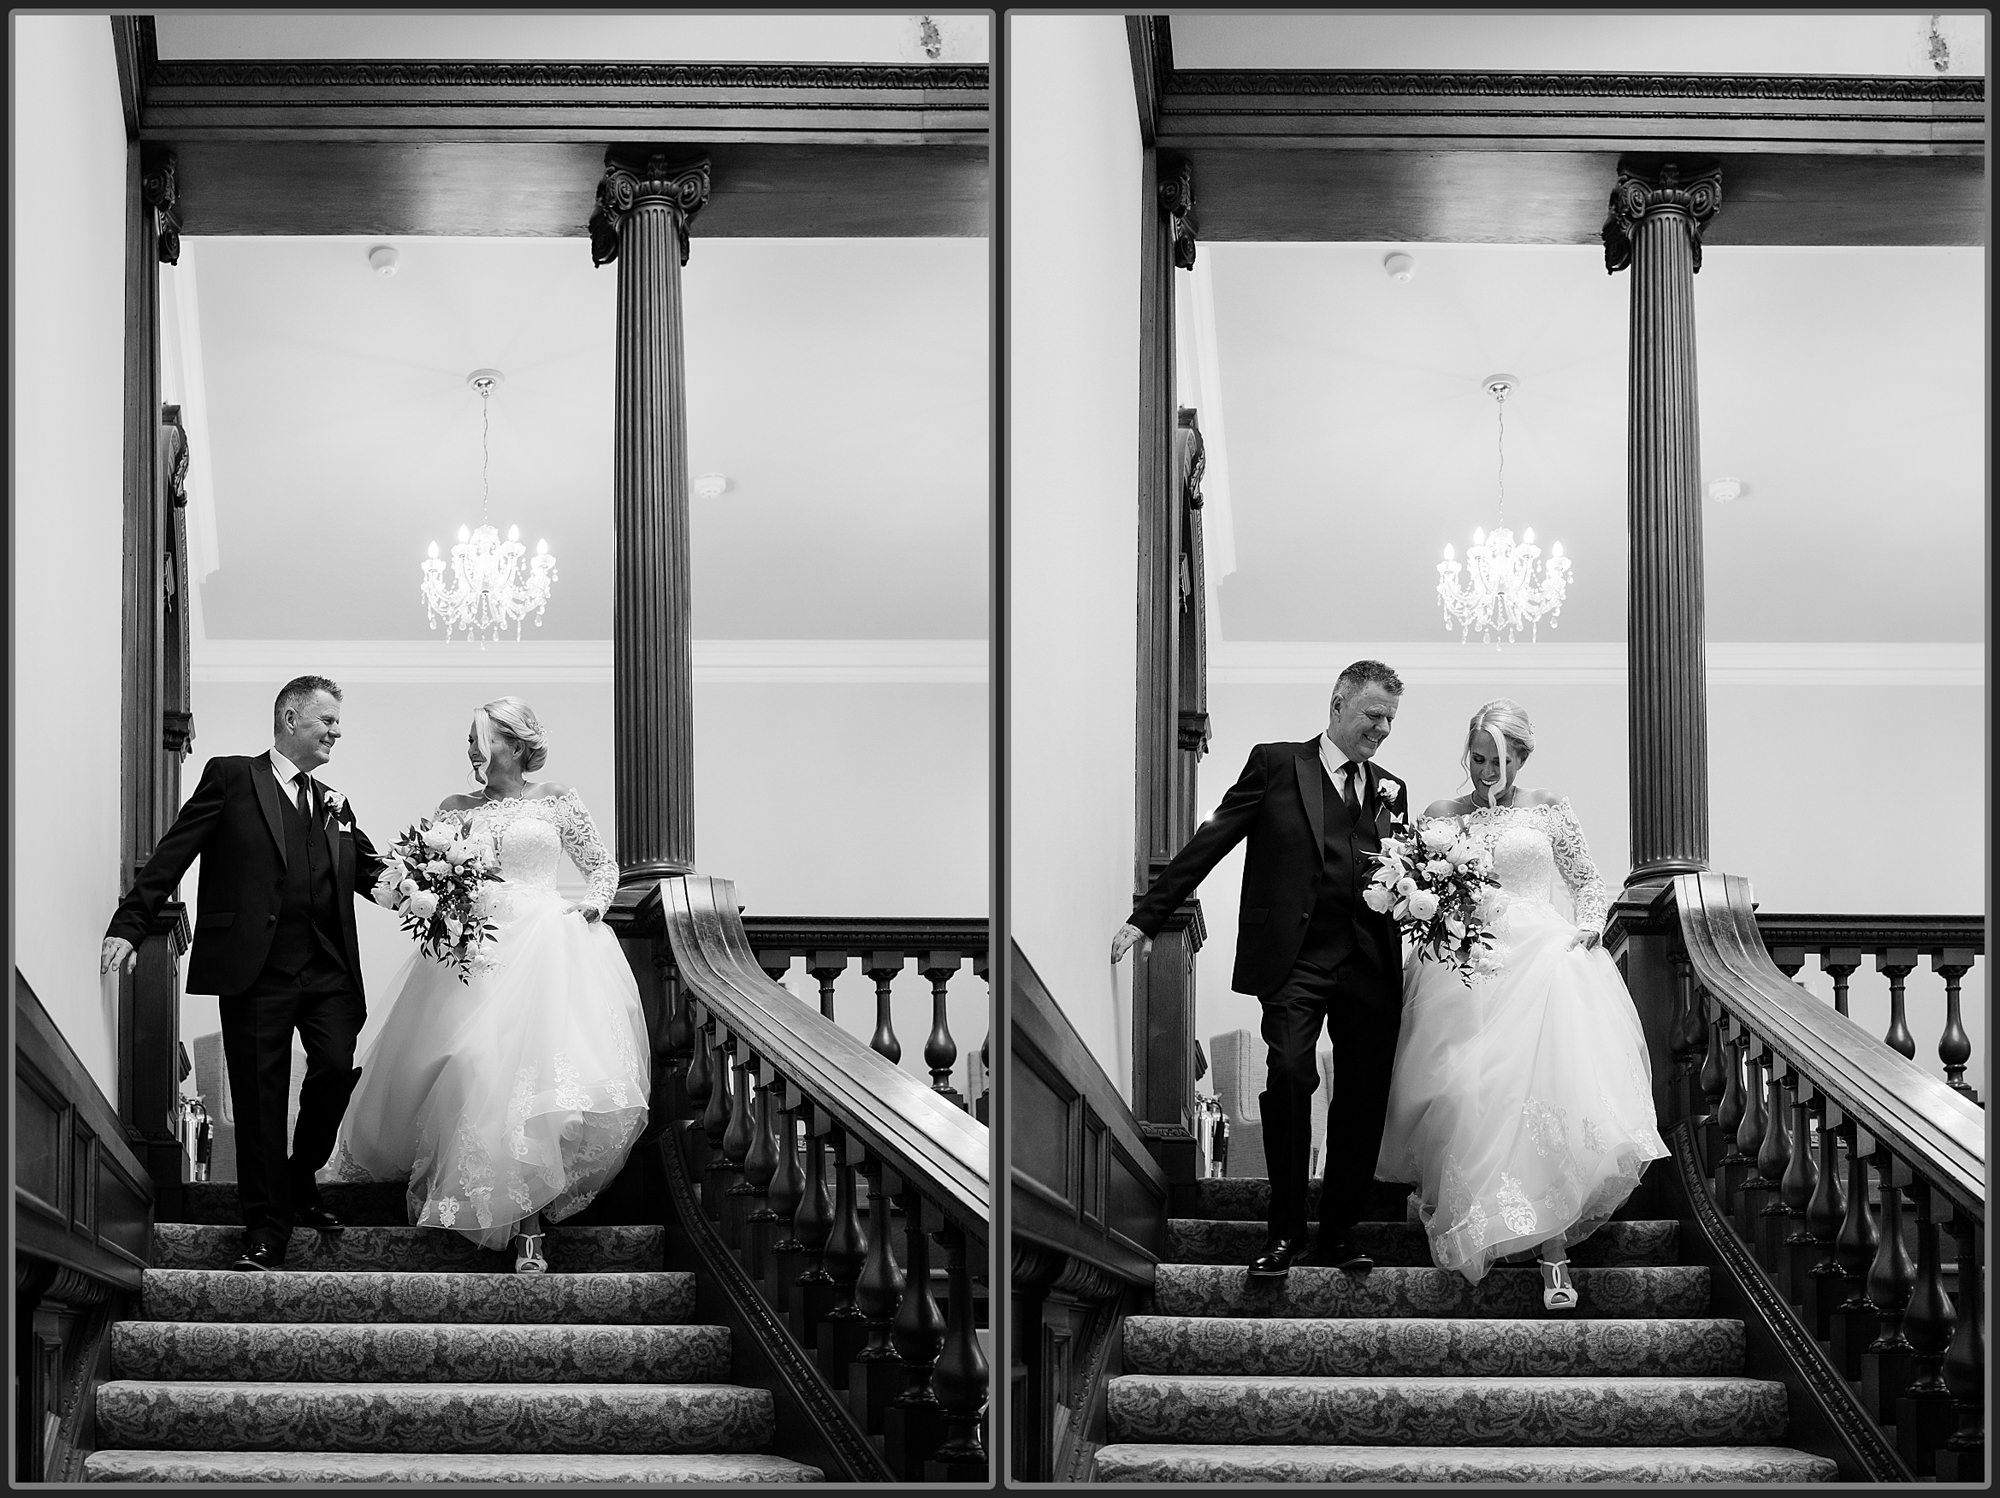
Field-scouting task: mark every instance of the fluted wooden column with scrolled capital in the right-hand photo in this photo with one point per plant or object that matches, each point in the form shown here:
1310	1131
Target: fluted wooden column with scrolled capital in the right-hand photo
1655	229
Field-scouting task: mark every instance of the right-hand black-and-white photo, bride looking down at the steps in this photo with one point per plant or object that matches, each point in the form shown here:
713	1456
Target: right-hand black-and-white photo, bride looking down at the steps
1497	747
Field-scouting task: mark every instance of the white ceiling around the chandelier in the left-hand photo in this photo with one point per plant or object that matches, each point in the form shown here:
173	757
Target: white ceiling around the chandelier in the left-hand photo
841	385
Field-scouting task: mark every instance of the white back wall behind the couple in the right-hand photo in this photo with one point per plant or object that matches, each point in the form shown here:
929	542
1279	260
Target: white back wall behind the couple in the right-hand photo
1781	805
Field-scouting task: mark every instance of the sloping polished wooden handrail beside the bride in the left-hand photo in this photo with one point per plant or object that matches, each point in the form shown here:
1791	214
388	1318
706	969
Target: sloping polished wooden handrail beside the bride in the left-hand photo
915	1131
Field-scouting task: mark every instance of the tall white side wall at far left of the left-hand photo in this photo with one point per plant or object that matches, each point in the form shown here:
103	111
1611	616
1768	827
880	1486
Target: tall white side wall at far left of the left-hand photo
67	513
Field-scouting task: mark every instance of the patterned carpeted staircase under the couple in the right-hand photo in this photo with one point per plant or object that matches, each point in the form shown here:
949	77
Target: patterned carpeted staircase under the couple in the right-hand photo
1411	1375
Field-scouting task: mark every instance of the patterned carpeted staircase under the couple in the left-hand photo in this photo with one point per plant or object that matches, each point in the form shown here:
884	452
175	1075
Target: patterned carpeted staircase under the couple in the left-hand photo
409	1355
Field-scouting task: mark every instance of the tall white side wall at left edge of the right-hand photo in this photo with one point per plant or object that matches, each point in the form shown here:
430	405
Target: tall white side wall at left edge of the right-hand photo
1073	493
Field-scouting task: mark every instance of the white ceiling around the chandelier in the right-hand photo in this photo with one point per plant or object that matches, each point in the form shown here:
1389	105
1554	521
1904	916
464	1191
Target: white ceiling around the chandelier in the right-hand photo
1845	387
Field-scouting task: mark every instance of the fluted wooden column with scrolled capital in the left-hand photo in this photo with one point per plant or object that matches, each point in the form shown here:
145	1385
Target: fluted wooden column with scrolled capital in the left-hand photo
645	203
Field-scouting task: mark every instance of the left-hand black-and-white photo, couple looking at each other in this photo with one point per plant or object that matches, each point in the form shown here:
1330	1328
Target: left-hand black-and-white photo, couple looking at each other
503	805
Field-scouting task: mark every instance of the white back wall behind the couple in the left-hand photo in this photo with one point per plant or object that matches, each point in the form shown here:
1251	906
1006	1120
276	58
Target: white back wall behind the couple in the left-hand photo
815	799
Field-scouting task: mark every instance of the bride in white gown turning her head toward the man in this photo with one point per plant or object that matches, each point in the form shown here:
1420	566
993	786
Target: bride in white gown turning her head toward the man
515	1097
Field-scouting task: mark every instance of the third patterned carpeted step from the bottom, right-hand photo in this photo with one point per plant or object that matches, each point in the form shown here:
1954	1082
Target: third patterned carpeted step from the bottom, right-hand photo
1419	1347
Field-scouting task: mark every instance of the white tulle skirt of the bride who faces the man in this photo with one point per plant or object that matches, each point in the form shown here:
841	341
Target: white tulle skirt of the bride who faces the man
517	1093
